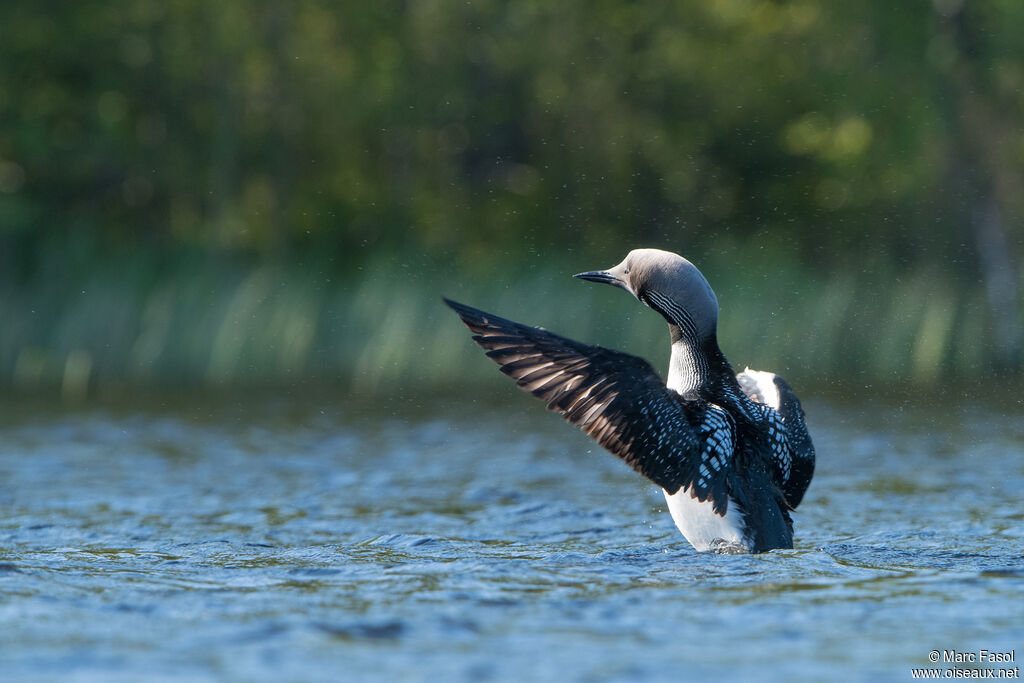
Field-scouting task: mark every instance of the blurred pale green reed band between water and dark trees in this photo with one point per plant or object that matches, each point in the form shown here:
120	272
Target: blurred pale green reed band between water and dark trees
207	324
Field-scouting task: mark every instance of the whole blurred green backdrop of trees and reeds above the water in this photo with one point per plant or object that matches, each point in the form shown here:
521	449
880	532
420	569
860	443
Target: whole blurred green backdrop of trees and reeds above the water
277	194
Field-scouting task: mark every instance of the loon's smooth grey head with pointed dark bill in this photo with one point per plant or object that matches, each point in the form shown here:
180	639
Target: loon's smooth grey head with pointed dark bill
669	284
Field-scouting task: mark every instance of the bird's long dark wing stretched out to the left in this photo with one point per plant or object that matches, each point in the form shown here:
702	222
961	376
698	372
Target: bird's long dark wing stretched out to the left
620	401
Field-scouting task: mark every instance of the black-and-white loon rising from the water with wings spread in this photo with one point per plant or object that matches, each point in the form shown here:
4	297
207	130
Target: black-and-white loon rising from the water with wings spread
731	451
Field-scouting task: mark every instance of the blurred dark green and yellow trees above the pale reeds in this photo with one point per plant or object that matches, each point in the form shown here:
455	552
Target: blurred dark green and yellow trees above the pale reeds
486	130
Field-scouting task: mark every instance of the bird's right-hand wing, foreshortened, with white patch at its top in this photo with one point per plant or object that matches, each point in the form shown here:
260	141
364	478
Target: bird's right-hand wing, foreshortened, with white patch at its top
793	454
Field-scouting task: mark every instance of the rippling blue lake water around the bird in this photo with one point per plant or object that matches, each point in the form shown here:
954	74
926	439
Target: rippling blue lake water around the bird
321	540
